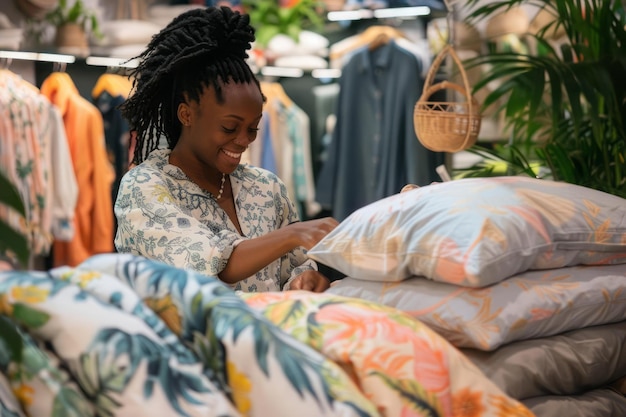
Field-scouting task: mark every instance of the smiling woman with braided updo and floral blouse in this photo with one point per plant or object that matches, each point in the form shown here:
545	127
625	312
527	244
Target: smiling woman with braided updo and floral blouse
190	203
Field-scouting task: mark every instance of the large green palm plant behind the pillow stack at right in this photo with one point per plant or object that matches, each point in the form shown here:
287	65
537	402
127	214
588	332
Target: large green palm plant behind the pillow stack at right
564	105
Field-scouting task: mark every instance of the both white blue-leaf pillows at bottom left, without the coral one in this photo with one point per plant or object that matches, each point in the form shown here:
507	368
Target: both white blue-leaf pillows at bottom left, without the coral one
139	338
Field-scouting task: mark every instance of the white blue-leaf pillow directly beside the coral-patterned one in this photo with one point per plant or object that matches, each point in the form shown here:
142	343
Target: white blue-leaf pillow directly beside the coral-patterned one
255	359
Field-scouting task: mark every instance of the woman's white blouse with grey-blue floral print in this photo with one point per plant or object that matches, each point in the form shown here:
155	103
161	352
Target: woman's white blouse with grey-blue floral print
163	215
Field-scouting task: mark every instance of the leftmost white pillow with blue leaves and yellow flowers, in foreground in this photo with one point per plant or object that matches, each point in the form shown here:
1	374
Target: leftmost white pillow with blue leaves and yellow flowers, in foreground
123	363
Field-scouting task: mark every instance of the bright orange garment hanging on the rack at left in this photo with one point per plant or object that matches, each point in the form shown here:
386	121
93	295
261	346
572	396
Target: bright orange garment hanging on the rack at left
93	222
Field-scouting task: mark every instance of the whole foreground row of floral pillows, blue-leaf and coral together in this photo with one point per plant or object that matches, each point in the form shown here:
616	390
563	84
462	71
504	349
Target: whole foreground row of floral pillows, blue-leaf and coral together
121	335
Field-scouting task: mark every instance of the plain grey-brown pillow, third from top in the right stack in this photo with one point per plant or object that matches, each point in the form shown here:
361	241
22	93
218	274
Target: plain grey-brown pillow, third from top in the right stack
566	364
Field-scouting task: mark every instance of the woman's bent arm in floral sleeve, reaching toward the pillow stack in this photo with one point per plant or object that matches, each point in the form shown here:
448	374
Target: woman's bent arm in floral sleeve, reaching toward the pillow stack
152	224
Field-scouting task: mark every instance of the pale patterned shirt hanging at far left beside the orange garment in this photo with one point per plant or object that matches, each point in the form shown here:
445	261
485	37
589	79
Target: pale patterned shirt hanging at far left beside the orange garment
36	159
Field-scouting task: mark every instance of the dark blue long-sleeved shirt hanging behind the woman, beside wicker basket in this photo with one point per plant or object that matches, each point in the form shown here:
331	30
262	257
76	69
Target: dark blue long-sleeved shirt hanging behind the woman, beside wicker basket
374	151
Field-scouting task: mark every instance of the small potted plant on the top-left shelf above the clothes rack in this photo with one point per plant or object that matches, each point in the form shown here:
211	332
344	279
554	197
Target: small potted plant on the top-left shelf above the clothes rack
73	24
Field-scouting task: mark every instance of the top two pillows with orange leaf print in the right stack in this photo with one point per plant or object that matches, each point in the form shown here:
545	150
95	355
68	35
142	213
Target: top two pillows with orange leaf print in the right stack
488	261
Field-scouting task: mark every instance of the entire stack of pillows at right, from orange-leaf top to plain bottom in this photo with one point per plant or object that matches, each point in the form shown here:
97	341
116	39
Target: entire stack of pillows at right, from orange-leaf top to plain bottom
525	276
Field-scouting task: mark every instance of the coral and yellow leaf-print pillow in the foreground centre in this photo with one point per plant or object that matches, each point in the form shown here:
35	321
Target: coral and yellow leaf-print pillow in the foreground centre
405	368
